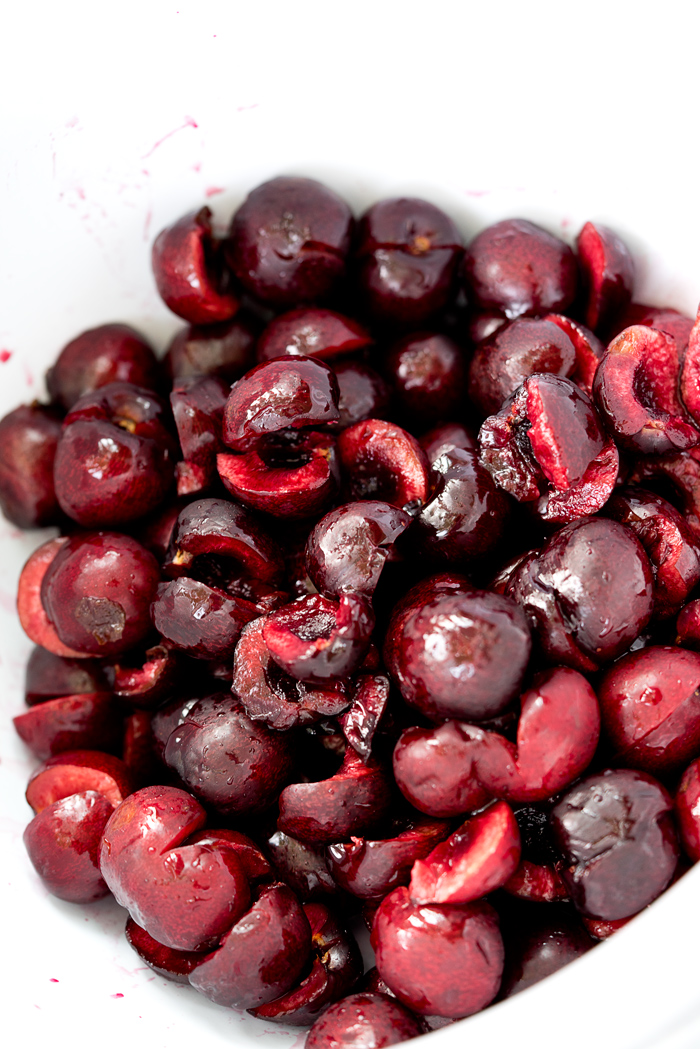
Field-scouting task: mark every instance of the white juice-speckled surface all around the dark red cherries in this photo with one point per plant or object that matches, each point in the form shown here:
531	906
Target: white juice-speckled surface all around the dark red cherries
115	120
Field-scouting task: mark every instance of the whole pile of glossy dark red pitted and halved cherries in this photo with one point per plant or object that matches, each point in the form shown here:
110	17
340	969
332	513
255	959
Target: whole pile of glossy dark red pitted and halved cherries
374	597
